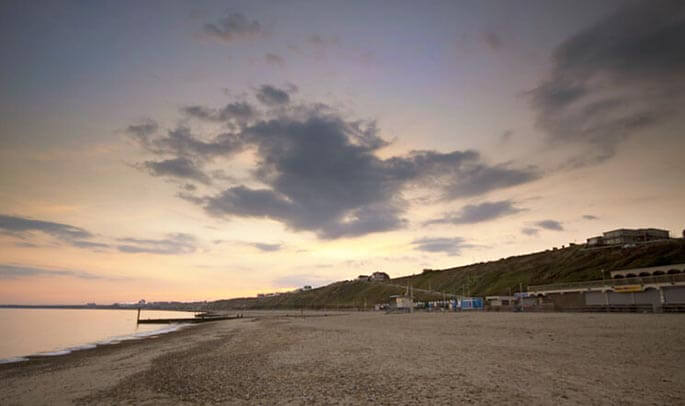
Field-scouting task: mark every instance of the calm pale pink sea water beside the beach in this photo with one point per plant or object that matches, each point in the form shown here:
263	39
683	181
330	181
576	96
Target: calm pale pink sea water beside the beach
26	332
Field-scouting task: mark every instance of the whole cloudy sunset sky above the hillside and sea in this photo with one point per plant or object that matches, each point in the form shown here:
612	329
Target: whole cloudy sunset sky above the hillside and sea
175	150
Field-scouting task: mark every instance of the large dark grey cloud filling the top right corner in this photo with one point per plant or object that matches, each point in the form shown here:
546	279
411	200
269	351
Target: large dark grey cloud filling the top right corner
616	79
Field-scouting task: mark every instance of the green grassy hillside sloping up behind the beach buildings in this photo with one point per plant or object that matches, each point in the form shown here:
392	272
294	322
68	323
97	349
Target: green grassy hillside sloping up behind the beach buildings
500	277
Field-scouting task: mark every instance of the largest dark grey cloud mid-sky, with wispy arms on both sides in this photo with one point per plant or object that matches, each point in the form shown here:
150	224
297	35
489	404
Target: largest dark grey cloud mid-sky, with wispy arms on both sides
316	170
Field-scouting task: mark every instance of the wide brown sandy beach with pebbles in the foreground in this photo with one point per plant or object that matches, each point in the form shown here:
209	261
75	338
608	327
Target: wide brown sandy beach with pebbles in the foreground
373	358
